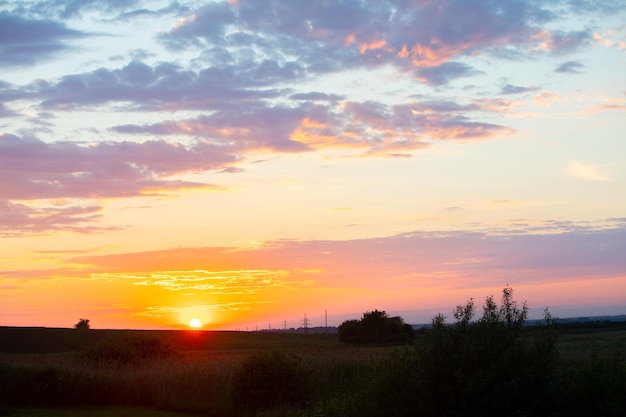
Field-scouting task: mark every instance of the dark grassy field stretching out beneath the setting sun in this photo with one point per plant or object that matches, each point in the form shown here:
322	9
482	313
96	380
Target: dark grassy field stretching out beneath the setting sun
100	373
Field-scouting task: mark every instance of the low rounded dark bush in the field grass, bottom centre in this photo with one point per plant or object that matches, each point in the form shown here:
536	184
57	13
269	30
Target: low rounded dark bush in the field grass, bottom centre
269	379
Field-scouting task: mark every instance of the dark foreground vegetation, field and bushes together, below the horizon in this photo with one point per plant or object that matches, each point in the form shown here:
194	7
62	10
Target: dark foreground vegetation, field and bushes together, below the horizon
485	366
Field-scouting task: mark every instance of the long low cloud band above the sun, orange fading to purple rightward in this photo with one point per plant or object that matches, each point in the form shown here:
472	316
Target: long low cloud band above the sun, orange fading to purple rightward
406	262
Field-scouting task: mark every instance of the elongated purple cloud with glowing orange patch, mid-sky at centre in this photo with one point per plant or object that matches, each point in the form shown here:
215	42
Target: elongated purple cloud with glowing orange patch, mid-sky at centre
375	128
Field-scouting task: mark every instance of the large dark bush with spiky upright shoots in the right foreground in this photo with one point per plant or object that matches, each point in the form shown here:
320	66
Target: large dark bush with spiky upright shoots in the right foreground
473	368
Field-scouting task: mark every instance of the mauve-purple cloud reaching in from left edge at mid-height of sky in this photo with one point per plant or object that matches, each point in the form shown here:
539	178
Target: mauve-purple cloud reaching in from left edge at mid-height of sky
33	169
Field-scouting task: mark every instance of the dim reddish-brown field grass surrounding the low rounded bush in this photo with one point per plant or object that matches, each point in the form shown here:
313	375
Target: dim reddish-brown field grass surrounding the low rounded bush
197	375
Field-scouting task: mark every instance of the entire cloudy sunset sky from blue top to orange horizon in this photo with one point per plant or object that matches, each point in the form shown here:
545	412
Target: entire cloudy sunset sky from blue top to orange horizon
250	162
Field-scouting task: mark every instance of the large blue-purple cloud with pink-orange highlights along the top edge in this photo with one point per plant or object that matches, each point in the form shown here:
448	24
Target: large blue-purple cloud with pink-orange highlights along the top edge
327	37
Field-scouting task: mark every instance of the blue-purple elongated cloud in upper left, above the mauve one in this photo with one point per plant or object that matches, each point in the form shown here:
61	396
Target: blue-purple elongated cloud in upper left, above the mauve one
166	86
